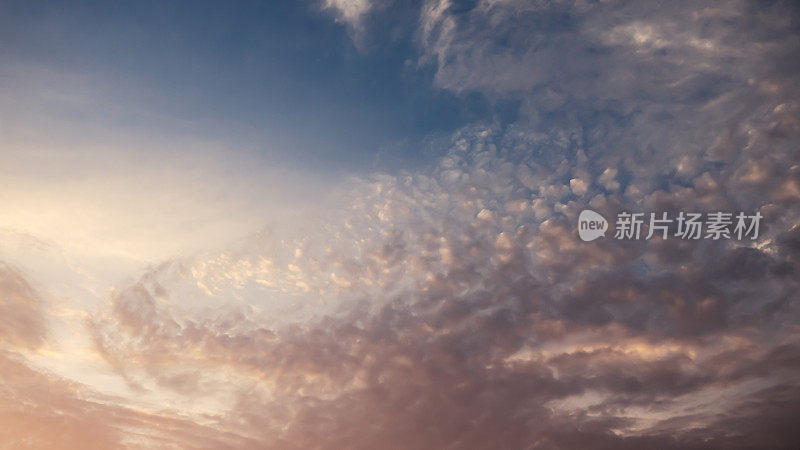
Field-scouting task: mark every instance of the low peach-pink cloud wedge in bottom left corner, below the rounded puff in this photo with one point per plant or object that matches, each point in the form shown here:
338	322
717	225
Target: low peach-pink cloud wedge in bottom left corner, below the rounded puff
42	411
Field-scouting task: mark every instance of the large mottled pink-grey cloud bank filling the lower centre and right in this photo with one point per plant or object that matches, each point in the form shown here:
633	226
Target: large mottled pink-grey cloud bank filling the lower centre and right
465	320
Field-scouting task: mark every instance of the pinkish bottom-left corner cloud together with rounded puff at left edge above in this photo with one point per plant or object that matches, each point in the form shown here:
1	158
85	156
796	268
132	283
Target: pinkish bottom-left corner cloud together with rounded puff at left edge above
42	410
